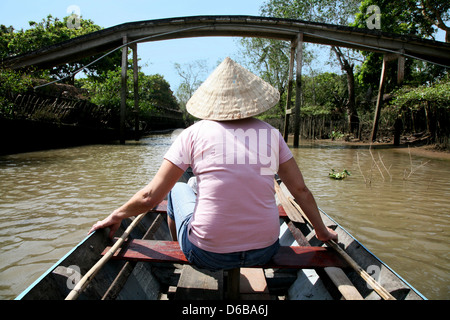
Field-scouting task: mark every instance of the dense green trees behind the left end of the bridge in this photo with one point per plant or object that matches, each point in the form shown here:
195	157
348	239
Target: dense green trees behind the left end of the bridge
102	79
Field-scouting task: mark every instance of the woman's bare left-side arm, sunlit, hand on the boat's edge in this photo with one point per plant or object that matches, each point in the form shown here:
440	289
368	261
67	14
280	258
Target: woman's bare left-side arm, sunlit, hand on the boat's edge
144	200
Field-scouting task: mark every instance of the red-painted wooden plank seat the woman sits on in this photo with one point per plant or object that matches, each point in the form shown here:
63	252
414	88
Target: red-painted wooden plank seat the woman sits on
287	257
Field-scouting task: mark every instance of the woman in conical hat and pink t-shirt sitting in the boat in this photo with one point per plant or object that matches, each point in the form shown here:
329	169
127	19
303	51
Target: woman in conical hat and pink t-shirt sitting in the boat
231	220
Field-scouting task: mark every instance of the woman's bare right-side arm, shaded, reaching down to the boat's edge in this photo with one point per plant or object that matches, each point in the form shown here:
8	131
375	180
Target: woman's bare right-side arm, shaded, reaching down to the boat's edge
291	176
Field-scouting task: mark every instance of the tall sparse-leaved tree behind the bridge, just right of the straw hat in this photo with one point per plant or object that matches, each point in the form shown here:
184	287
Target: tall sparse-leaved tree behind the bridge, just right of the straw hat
324	11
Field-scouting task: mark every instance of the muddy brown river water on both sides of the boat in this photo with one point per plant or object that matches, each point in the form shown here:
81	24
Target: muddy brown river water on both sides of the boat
49	200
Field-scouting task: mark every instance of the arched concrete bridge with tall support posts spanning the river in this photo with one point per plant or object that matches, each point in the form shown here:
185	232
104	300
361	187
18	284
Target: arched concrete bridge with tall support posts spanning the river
296	31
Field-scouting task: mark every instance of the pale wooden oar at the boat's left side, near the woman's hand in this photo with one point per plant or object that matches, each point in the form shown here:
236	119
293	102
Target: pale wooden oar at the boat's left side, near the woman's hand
81	285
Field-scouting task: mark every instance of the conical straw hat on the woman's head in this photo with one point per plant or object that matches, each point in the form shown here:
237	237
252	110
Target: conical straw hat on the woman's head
232	92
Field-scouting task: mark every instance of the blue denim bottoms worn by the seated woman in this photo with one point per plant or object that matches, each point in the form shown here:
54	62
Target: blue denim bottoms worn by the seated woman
180	208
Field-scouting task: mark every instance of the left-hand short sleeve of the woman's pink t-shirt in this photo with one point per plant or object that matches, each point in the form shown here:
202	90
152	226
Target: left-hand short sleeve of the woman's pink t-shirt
179	152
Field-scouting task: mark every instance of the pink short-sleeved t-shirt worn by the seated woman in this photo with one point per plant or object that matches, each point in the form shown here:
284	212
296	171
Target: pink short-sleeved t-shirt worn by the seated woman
235	162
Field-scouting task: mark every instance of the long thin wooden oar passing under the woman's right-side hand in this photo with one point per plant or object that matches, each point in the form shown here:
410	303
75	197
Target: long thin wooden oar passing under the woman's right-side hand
363	274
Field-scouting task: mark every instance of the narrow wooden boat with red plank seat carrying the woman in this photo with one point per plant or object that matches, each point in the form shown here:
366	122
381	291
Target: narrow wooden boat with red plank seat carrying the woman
164	277
